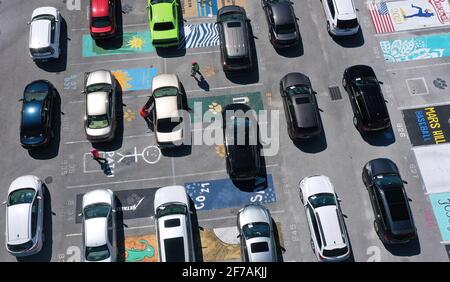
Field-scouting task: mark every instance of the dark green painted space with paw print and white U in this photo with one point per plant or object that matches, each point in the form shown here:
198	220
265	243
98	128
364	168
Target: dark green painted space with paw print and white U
215	104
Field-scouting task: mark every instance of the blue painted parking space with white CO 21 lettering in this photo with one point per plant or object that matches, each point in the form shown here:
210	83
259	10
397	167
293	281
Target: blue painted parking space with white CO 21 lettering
221	194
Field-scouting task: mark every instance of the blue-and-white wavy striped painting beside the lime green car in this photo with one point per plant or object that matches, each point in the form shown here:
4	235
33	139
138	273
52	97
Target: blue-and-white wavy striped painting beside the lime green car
200	35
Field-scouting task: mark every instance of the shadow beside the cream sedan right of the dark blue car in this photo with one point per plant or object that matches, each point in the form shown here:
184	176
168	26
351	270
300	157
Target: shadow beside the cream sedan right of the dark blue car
117	142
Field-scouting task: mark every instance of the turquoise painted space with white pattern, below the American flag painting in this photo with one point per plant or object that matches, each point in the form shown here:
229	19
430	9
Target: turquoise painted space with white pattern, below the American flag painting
416	48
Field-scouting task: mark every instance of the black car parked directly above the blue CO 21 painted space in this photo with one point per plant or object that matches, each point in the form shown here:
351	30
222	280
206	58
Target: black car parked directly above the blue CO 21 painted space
240	131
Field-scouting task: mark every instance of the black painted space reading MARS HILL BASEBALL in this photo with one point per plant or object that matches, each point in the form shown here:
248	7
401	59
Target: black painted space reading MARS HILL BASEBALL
429	125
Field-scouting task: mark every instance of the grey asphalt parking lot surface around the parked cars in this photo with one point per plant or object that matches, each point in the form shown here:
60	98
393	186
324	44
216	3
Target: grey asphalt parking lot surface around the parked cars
137	166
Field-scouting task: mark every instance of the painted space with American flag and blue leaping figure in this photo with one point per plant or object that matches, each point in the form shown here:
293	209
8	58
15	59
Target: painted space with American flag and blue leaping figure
409	15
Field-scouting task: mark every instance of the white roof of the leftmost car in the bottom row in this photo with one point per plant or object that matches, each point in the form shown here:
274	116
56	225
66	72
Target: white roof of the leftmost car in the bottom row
18	223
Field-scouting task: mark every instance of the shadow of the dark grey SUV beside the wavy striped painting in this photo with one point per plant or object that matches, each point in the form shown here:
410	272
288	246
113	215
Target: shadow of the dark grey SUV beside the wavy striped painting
250	76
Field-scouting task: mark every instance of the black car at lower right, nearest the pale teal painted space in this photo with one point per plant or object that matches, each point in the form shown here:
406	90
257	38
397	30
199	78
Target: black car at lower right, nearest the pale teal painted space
393	218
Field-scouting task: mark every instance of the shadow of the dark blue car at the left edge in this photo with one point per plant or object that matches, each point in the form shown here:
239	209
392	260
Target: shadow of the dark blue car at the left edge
52	149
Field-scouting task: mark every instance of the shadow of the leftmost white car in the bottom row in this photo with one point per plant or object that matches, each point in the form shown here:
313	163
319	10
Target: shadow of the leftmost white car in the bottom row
45	255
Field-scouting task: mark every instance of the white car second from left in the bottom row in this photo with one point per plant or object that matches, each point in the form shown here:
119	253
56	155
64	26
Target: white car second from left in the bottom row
99	226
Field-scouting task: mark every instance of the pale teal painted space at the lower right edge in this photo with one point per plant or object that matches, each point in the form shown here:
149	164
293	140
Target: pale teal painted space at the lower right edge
440	203
